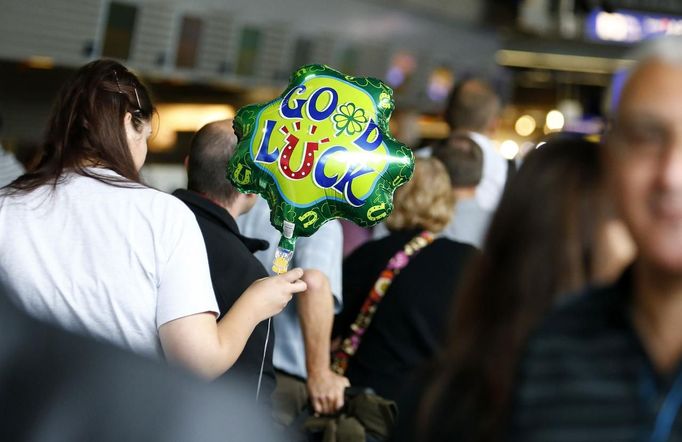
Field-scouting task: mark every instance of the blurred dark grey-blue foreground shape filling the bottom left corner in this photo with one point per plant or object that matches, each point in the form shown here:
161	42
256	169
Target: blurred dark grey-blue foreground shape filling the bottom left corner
61	387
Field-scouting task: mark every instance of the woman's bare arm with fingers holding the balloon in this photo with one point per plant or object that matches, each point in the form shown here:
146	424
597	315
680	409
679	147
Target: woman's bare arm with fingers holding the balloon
209	348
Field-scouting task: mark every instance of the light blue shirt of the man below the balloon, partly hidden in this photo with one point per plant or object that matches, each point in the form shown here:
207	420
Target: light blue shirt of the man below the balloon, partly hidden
323	251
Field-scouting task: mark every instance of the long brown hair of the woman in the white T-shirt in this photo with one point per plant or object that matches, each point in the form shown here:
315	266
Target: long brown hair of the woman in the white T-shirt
86	127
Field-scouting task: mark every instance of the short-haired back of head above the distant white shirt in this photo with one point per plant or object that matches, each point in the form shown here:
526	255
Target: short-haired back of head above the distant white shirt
473	106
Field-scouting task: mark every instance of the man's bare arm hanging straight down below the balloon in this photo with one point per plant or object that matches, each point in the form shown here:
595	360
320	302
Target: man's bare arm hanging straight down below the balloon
316	313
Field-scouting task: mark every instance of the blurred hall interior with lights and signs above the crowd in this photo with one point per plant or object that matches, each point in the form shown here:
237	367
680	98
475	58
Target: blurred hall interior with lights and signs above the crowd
552	60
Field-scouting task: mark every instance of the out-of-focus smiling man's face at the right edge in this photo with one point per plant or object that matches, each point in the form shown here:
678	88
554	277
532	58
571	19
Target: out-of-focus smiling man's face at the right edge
646	147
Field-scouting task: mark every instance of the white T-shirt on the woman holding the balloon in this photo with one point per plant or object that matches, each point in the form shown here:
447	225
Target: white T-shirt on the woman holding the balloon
115	263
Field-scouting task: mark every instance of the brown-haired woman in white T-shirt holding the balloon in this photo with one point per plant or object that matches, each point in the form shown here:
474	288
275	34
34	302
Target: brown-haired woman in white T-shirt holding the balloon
86	246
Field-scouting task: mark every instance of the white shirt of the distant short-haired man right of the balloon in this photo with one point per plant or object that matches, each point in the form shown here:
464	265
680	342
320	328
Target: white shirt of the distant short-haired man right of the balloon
494	177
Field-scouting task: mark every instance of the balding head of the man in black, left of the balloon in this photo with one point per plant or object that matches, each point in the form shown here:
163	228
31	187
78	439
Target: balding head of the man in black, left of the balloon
210	151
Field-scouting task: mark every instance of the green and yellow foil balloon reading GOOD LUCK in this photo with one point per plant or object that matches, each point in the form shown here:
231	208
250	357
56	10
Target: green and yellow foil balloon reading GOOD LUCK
321	150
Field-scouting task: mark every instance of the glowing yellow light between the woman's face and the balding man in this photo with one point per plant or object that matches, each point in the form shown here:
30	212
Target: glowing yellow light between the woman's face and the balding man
184	117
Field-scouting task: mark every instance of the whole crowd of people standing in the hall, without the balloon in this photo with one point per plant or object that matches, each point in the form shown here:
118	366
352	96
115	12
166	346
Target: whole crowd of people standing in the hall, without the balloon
529	300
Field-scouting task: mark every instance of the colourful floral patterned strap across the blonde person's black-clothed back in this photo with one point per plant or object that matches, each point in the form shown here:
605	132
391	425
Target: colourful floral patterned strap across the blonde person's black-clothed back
358	328
